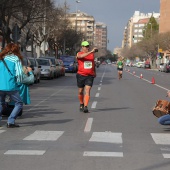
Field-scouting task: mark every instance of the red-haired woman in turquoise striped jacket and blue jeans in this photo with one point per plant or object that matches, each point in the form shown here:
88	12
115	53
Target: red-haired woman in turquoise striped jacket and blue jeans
11	73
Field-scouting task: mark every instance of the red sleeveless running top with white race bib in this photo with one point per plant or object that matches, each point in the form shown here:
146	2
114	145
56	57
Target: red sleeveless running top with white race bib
86	65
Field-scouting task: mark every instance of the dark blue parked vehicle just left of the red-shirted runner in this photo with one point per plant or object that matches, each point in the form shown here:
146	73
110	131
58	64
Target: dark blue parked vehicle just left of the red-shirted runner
69	63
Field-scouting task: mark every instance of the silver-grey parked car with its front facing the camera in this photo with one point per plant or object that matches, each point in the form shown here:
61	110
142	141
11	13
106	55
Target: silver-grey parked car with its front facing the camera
47	68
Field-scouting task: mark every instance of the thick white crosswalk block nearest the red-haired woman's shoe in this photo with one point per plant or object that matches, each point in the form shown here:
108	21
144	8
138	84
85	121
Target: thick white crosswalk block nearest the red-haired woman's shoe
44	135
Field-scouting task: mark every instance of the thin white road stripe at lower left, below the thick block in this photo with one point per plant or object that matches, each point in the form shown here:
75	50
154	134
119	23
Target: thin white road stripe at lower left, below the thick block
24	152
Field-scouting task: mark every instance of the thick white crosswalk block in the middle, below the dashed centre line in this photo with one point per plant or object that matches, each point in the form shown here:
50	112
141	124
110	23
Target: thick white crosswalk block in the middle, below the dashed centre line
107	137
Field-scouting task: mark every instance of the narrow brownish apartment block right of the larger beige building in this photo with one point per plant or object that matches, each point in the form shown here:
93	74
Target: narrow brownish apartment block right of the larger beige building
100	36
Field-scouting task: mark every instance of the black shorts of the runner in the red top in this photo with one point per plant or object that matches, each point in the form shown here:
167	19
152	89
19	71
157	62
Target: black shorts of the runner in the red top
84	80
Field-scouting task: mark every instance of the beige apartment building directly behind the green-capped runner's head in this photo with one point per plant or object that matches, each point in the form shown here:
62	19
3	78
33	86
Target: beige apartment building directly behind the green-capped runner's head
84	23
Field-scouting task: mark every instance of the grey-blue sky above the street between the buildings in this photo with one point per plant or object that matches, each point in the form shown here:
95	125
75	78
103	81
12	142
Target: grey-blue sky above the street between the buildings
114	13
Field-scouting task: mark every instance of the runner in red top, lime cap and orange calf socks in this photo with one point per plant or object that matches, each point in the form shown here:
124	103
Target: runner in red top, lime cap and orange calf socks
85	74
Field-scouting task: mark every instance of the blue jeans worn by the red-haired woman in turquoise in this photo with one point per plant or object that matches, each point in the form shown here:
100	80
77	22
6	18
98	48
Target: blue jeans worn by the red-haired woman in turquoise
14	96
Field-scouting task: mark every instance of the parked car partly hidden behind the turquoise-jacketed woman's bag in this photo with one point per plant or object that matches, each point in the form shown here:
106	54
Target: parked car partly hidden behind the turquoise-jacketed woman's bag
36	69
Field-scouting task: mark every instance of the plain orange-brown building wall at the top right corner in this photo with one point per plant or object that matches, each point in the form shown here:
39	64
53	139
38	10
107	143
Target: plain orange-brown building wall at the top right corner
164	25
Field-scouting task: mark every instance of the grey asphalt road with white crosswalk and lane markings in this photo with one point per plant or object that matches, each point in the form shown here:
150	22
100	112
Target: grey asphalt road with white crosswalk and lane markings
119	133
